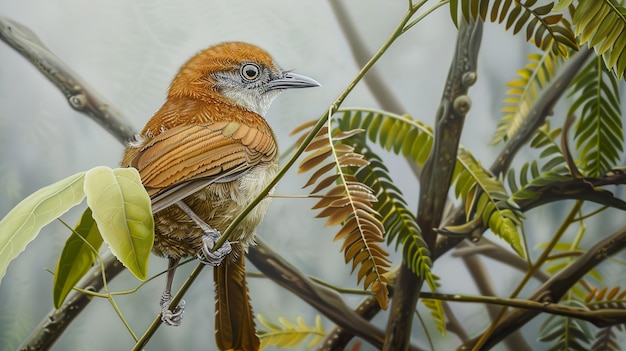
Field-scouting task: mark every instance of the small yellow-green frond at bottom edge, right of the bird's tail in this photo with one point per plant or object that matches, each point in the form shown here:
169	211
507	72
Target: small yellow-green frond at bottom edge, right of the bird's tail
288	334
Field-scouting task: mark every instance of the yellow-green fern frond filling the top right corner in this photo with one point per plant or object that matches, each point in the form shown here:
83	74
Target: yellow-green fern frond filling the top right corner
602	24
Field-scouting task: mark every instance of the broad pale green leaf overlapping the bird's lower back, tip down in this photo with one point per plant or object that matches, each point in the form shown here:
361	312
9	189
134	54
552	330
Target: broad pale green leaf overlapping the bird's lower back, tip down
122	209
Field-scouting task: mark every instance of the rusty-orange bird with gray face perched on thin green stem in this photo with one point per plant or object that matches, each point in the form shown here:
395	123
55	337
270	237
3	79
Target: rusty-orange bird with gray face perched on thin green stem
202	157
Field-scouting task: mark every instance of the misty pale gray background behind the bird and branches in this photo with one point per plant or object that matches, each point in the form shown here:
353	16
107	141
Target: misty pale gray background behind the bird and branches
130	50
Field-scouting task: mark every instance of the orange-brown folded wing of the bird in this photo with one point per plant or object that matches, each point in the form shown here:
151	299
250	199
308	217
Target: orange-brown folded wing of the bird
184	159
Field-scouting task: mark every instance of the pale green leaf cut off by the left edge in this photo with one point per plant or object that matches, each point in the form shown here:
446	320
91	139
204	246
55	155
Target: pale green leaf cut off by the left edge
22	224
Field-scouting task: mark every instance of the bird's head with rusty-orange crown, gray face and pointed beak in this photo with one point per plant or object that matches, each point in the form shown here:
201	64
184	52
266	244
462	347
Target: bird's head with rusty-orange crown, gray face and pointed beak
236	73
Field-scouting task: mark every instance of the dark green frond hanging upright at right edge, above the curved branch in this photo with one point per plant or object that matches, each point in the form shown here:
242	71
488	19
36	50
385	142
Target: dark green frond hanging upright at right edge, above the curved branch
599	132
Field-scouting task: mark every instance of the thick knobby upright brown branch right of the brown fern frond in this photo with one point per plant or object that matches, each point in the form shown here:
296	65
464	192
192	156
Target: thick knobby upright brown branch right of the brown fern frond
436	176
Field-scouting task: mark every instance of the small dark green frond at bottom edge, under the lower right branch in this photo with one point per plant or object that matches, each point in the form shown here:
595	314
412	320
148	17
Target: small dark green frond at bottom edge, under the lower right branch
566	333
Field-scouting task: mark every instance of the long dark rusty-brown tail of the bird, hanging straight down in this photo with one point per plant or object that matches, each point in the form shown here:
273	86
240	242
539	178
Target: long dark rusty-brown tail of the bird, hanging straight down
234	320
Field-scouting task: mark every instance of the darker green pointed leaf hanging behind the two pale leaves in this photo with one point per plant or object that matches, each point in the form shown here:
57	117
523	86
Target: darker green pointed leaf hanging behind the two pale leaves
77	257
